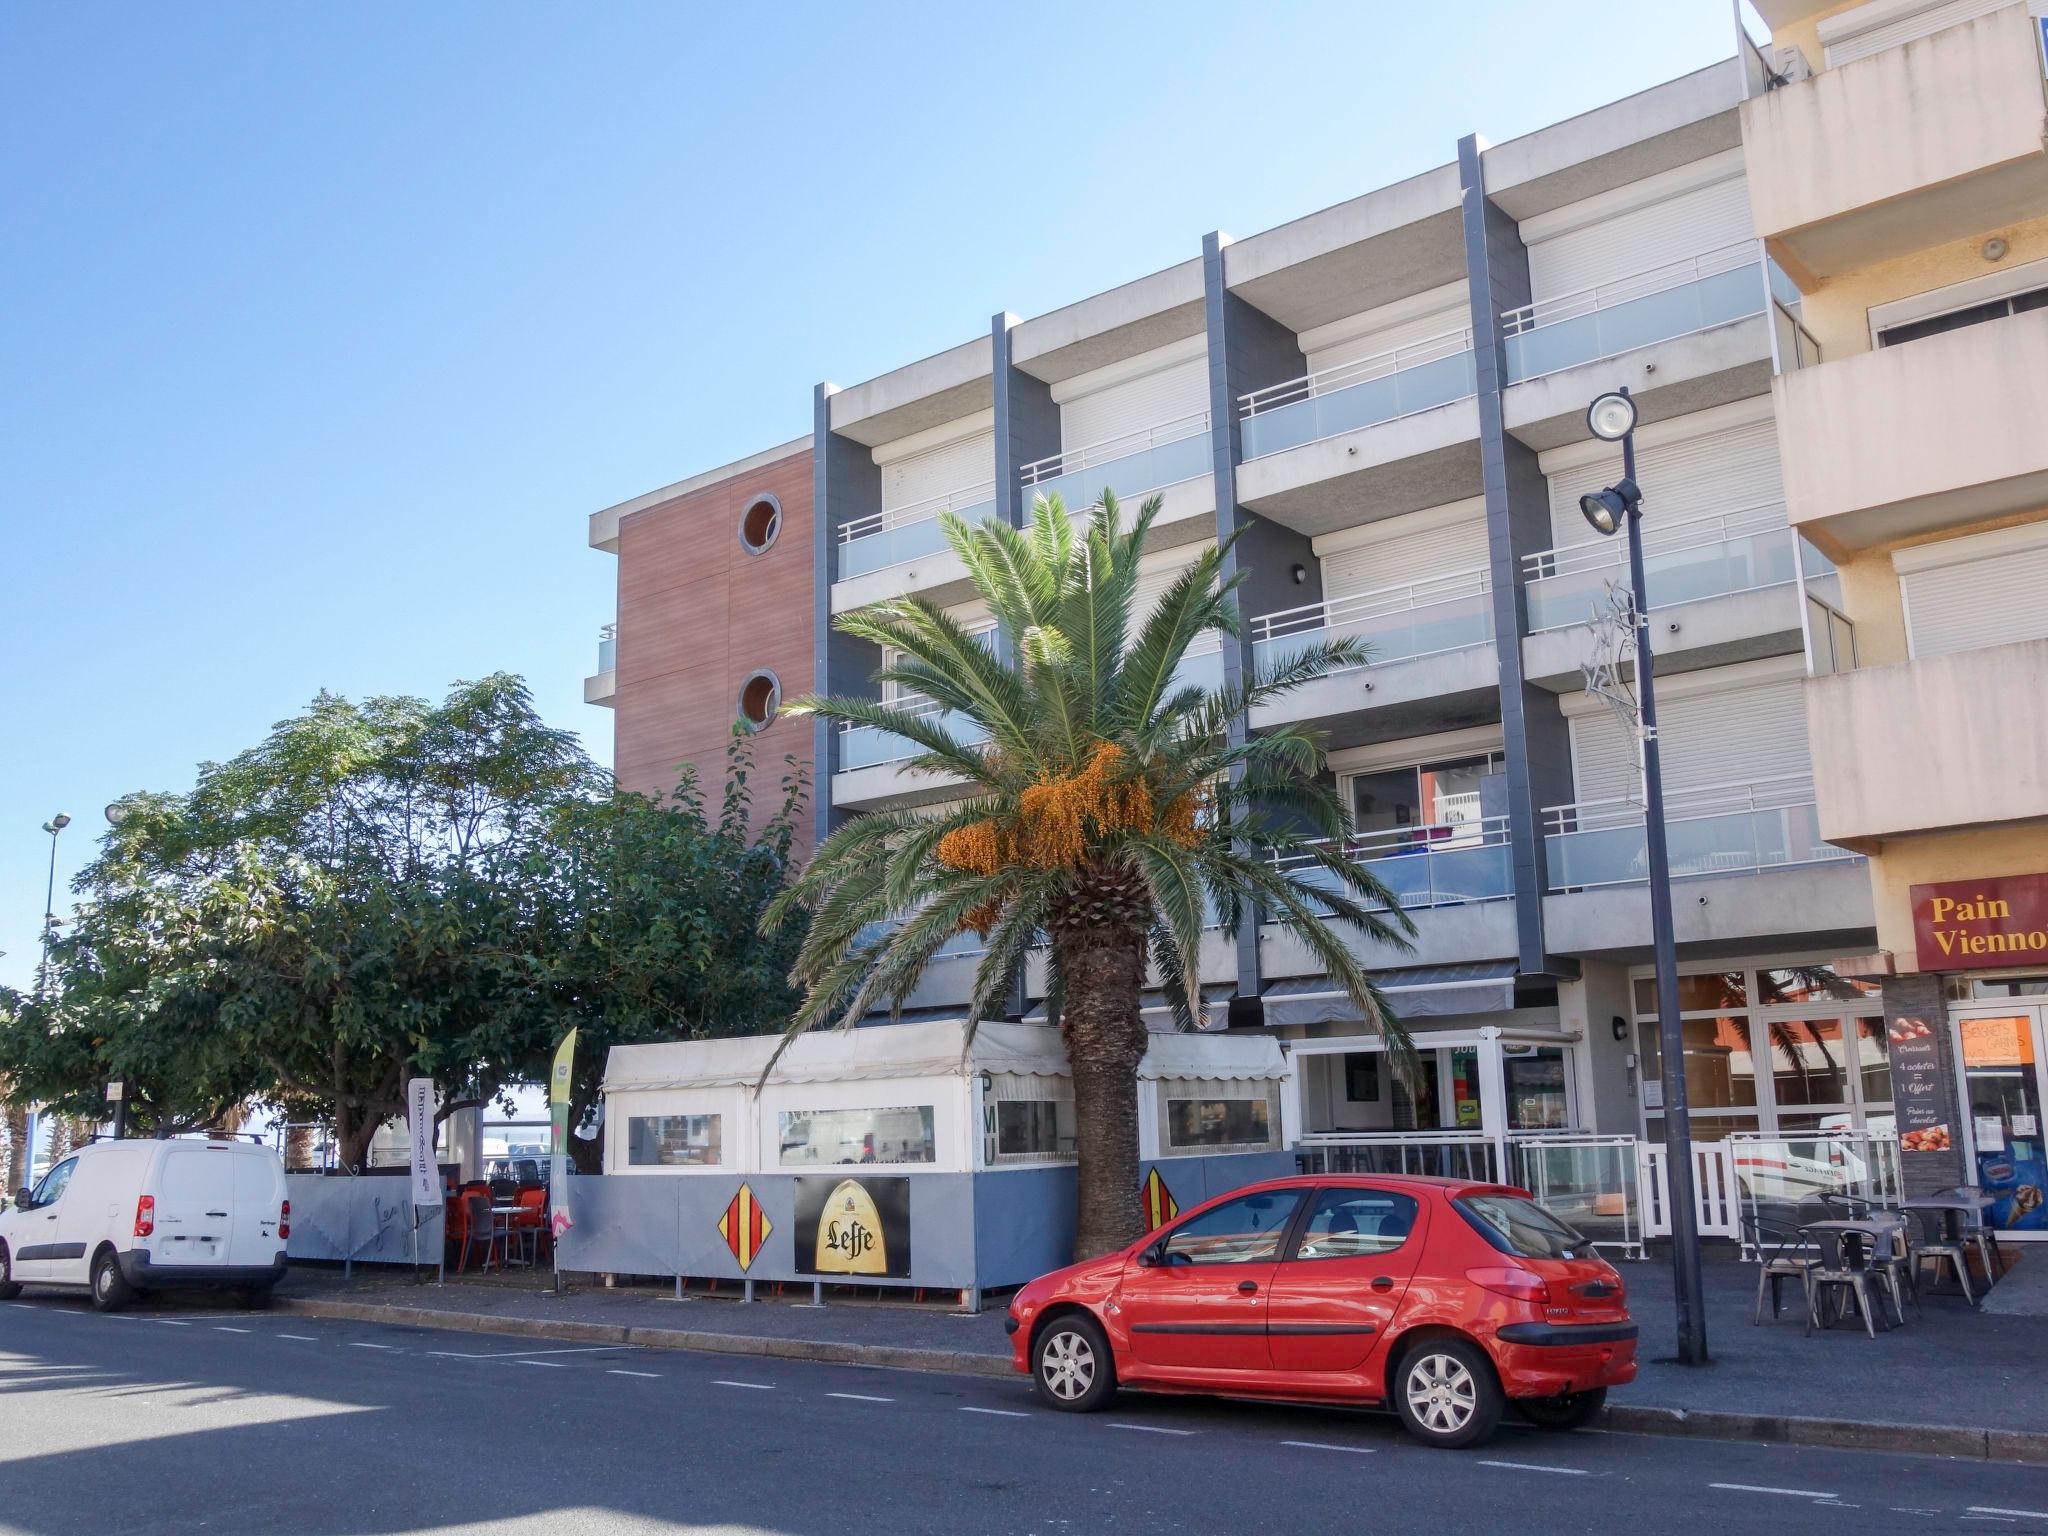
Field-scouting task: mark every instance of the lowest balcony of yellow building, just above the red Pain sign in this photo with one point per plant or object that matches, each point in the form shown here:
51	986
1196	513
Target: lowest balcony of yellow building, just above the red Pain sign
1934	744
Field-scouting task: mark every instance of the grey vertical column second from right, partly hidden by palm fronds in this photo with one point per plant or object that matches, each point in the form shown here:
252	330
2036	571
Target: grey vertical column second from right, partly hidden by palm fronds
1248	351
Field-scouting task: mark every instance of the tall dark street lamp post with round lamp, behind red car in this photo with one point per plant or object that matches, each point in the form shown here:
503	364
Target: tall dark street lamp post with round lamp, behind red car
1615	419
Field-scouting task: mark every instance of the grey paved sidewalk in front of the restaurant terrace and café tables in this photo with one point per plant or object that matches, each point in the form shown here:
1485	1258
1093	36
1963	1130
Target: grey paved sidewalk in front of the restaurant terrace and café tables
1955	1381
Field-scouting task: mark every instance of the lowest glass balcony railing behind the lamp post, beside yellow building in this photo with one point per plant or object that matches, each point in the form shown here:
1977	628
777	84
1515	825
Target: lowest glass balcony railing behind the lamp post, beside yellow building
1711	830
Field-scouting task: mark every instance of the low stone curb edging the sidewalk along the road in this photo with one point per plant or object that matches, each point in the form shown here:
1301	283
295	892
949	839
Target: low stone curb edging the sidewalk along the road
2024	1447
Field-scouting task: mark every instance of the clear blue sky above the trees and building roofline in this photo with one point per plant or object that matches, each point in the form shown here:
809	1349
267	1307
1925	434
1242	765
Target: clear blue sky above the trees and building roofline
325	327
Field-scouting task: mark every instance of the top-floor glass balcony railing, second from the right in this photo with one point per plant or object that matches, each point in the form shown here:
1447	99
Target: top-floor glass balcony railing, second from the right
1365	392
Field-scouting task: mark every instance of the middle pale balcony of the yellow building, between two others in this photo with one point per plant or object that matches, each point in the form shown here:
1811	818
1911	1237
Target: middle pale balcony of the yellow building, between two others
1920	437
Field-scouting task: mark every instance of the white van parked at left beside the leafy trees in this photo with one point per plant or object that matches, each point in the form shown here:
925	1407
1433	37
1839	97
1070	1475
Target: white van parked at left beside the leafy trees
128	1218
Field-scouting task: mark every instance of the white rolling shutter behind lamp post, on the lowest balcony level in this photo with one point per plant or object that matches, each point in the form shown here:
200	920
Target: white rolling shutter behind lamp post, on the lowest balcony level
1725	736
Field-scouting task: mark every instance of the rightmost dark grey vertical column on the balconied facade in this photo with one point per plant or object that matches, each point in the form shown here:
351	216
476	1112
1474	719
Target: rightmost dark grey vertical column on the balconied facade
1519	523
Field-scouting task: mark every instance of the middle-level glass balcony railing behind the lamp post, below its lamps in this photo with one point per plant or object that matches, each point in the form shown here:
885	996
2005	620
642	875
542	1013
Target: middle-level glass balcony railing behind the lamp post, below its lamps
1682	562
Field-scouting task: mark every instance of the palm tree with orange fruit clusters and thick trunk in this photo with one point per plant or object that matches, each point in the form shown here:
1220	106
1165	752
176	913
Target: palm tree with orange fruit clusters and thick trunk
1109	814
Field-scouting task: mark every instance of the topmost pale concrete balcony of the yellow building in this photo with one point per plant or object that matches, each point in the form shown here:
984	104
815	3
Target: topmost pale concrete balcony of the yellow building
1904	148
